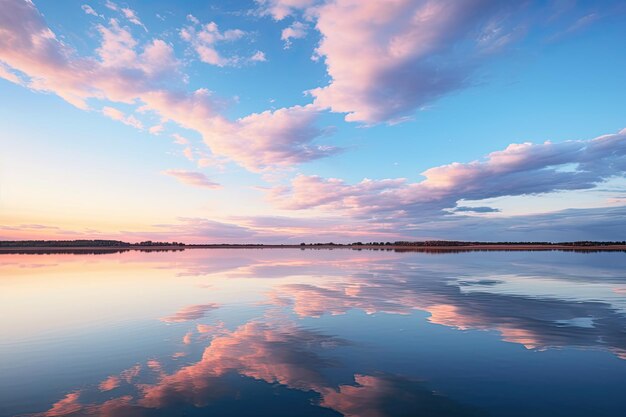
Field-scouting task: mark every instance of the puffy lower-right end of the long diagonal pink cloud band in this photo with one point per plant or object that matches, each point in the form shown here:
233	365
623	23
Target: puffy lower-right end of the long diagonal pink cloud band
259	141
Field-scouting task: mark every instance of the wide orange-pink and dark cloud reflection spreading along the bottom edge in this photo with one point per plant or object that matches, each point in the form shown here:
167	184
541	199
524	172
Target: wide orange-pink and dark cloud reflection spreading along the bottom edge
276	353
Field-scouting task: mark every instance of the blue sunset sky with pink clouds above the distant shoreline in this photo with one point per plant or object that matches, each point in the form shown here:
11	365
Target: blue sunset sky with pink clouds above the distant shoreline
268	121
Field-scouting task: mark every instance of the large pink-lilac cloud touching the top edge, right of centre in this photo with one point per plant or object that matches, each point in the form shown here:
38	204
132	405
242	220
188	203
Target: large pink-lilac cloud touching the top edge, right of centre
406	56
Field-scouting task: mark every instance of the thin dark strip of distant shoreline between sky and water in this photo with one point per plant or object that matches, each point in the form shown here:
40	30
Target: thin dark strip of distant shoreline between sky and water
392	247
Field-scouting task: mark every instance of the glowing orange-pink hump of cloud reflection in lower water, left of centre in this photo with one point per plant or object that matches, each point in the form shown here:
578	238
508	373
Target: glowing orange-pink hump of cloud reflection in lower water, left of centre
255	350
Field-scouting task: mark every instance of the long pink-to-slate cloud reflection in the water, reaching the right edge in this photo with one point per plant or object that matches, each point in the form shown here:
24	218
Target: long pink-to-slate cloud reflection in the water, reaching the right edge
535	323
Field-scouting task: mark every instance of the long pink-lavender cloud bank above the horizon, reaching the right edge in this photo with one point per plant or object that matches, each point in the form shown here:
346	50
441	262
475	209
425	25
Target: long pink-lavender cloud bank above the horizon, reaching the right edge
520	169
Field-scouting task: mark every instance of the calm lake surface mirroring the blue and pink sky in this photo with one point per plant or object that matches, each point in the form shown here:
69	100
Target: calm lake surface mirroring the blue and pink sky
251	332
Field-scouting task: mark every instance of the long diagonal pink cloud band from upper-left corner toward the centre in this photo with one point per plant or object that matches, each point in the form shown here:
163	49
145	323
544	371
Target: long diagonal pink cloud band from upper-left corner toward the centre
123	72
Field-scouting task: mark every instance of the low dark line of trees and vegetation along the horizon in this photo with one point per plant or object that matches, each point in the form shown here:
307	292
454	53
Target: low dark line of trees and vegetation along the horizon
430	246
